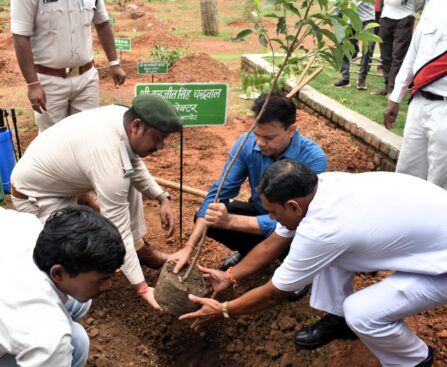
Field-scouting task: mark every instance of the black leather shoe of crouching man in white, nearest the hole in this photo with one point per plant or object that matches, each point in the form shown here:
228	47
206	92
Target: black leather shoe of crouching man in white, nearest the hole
329	328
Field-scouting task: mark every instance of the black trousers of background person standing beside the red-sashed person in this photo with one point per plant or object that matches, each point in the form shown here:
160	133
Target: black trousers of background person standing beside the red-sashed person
396	35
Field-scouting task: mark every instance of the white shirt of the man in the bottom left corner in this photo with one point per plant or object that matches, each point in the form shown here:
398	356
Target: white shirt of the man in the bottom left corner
35	326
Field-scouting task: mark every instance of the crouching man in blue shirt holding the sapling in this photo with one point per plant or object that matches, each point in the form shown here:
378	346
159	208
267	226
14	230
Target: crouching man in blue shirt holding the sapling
242	225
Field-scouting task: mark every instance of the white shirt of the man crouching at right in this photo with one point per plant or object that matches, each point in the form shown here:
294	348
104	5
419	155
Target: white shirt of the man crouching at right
368	222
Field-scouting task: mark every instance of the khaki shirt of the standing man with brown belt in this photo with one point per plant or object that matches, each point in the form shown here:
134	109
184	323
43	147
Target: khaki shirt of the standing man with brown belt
60	30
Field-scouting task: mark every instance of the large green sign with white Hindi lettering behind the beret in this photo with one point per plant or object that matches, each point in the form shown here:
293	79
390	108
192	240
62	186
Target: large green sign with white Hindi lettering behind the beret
198	104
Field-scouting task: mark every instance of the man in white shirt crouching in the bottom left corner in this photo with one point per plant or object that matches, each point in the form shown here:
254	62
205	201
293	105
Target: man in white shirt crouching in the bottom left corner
48	277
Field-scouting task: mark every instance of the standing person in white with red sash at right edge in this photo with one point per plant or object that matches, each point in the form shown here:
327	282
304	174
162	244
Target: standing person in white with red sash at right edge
424	146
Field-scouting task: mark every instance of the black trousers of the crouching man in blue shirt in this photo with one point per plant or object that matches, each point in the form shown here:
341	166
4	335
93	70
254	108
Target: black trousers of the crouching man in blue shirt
236	240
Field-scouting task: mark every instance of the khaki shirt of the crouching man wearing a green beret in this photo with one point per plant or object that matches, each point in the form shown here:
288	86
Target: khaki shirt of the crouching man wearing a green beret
85	151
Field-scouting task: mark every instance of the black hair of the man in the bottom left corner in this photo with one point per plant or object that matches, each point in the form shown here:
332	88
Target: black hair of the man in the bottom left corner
81	240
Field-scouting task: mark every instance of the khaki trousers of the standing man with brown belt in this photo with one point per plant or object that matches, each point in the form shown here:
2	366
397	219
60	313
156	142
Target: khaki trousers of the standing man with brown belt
67	96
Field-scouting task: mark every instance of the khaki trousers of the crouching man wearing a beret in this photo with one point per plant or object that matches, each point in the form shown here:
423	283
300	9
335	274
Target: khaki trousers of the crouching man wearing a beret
43	207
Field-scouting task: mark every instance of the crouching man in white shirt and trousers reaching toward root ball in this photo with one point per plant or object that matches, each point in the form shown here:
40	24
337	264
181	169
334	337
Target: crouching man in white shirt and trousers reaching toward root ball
339	224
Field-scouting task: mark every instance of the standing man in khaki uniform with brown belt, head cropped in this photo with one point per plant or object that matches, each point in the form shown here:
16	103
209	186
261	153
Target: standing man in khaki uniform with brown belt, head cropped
53	42
